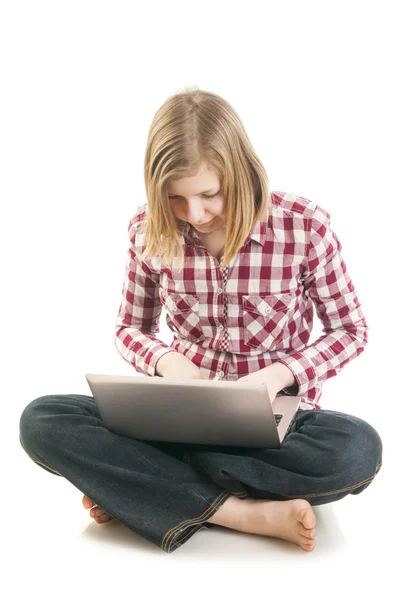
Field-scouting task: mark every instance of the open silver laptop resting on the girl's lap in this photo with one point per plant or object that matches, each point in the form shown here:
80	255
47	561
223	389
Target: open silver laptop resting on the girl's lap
197	411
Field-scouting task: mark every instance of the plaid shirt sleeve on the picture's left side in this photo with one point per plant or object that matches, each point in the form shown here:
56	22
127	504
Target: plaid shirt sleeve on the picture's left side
139	314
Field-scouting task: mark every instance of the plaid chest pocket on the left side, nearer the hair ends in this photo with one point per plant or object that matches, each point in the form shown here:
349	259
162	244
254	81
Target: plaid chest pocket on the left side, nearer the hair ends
183	315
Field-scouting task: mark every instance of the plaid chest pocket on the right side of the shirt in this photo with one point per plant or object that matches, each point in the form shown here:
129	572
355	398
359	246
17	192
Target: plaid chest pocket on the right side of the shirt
265	319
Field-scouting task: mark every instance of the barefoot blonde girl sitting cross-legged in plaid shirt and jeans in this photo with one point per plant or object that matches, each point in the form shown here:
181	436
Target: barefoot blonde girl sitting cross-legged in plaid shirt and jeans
239	270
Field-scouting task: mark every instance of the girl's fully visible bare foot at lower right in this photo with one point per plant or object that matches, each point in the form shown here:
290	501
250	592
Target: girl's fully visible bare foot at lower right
291	520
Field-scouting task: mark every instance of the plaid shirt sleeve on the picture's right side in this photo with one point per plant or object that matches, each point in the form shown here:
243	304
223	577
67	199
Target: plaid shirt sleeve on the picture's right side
330	287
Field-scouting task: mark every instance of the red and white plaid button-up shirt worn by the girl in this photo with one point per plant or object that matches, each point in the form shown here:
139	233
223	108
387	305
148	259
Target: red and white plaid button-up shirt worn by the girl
257	310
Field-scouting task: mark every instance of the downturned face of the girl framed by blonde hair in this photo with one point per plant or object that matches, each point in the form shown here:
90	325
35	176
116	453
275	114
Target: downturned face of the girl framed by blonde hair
198	200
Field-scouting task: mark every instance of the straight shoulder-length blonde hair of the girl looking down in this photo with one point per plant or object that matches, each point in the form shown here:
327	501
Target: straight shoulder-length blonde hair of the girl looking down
194	127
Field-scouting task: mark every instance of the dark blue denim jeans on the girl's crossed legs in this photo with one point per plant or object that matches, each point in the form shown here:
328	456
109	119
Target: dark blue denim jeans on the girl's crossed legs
166	491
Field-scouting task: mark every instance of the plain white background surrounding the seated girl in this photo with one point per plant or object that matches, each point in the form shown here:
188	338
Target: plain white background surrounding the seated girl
315	86
